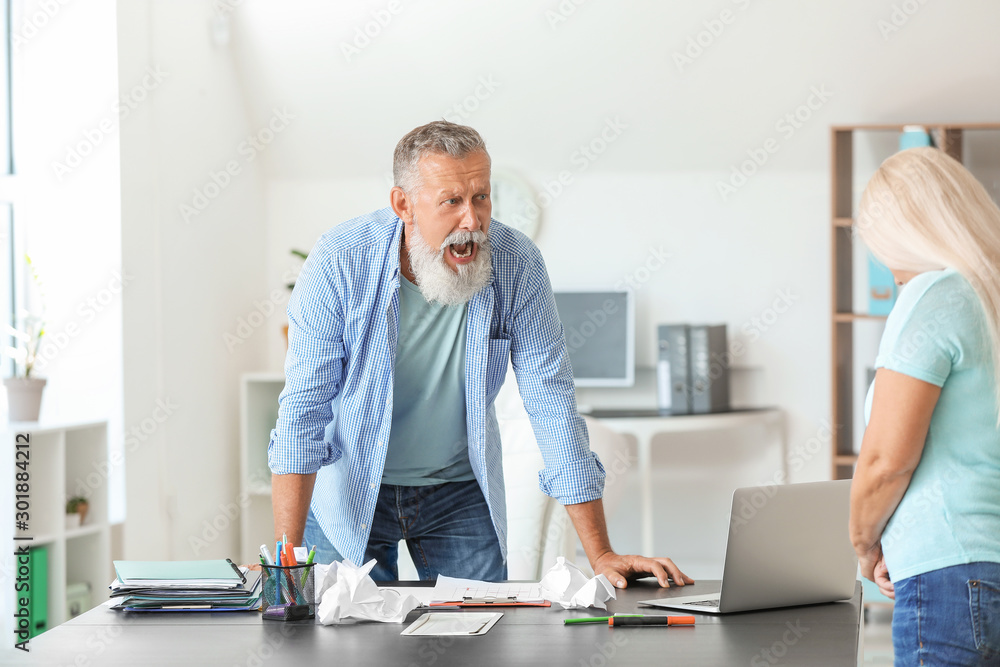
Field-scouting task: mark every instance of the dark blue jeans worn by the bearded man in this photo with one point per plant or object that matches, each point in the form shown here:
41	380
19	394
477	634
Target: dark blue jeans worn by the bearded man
447	528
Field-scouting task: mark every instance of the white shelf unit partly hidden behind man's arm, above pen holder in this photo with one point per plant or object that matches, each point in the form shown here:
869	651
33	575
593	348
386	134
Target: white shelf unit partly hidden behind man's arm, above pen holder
258	413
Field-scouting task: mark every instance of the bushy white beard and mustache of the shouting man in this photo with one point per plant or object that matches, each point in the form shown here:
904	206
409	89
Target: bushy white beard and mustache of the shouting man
438	281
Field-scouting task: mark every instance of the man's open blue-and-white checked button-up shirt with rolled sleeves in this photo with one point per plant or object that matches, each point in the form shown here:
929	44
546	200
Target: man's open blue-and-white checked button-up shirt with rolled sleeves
335	411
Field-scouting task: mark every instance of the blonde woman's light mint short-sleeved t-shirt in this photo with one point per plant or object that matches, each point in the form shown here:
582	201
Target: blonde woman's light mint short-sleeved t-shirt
950	513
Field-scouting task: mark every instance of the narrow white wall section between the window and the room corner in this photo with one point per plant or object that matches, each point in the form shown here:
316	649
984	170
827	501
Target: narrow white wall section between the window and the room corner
195	273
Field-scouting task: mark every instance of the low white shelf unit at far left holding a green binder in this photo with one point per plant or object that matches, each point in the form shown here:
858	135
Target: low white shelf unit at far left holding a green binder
66	460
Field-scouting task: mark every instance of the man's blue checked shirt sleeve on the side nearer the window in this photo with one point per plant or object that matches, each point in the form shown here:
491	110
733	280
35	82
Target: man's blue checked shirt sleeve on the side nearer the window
313	370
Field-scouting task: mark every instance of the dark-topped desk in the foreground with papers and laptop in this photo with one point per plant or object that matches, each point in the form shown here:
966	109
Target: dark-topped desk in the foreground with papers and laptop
817	636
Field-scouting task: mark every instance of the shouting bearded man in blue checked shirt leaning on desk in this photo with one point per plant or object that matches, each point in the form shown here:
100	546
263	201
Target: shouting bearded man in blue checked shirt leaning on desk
401	326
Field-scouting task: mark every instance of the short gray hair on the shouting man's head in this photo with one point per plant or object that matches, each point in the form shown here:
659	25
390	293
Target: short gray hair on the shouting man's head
452	139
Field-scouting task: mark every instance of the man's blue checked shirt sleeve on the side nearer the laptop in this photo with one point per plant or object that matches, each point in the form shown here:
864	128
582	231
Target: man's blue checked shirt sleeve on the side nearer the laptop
572	473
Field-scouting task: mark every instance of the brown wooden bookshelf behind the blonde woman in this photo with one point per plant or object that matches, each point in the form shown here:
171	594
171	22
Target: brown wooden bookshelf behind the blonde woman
847	318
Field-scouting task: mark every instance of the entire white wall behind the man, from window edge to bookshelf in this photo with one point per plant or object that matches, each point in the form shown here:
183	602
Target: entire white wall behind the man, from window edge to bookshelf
553	86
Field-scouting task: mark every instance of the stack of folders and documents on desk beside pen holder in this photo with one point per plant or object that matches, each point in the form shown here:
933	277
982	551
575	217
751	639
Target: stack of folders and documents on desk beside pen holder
195	585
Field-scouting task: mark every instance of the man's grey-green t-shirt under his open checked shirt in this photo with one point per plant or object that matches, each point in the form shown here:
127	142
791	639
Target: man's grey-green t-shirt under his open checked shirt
428	442
